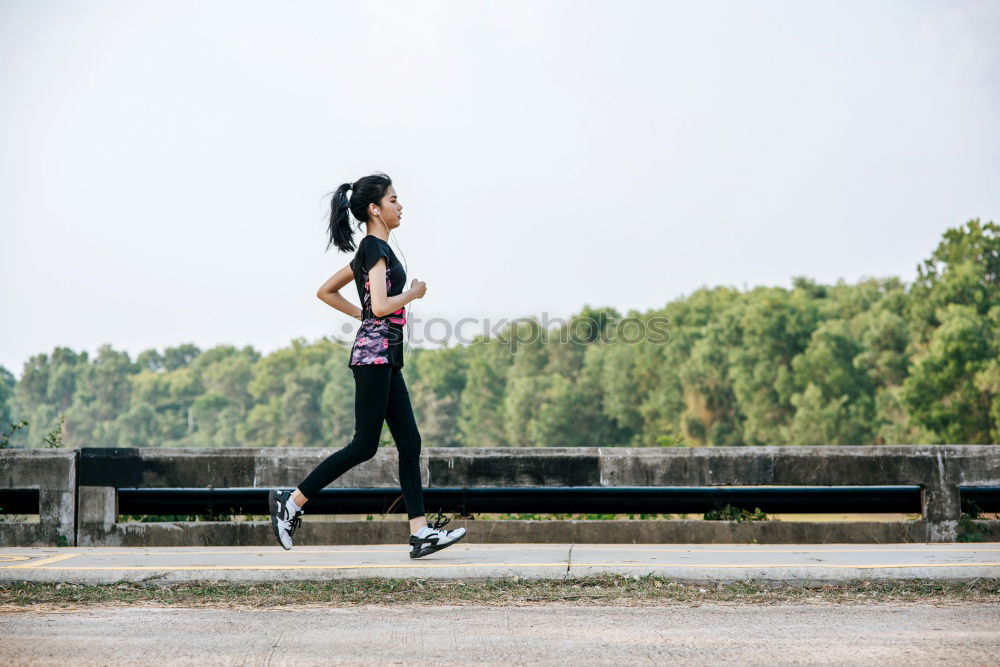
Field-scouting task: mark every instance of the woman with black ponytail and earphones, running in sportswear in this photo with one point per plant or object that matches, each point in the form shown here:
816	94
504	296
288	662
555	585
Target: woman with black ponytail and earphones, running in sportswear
376	360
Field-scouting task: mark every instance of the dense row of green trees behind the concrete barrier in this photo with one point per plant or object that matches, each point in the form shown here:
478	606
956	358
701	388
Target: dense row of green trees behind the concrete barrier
876	362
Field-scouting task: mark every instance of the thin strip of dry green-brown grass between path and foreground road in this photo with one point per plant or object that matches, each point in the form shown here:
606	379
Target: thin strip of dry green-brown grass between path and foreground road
597	589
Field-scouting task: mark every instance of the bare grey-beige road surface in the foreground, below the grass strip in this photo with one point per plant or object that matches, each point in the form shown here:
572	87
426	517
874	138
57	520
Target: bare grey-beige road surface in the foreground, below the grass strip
911	634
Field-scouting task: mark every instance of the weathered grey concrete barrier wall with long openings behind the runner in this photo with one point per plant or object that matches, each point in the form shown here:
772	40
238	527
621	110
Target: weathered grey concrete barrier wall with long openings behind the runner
97	473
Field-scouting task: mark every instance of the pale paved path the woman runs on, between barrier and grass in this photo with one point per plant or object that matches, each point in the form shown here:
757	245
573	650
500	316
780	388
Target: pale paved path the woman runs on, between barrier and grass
727	562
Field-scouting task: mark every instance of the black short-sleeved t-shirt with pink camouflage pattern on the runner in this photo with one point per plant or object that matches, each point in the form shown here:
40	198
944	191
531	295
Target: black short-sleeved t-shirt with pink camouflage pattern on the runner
378	340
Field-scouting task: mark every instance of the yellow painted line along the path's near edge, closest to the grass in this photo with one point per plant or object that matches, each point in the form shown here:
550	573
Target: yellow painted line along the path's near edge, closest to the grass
506	565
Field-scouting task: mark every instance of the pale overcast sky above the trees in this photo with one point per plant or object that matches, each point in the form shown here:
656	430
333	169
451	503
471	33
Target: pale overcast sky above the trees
165	165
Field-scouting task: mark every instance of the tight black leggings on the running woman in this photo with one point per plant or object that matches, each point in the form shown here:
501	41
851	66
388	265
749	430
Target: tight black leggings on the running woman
379	395
